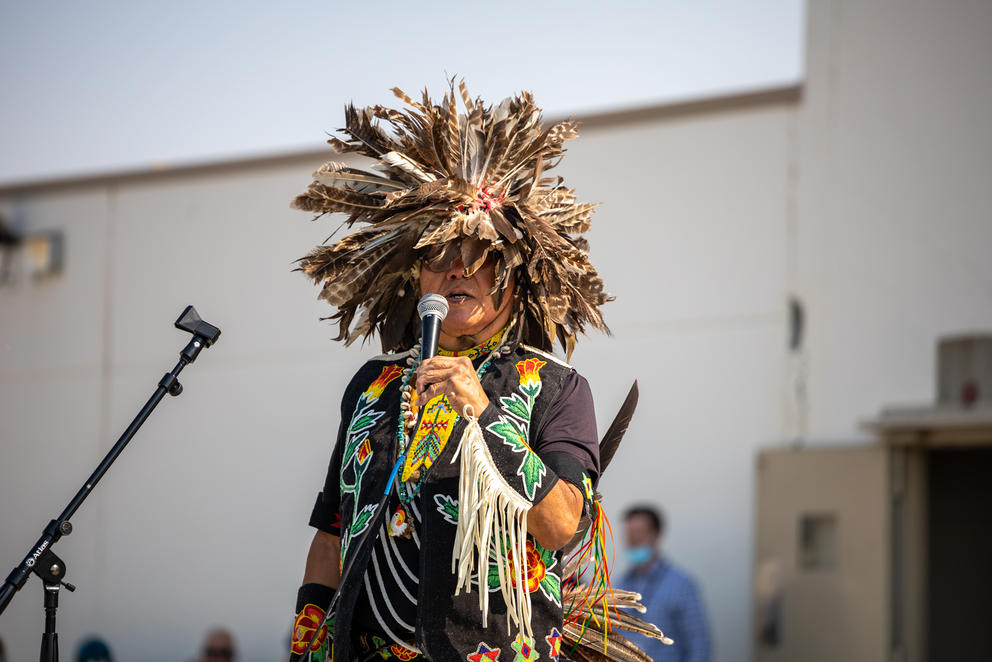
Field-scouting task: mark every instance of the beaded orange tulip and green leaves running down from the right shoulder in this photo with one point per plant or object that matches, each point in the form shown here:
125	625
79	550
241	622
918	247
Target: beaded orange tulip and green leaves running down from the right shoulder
514	425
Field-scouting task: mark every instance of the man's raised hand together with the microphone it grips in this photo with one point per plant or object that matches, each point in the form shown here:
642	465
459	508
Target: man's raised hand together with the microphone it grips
453	376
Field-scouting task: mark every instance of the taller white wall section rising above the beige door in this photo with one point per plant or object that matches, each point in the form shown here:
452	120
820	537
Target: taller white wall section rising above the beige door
893	200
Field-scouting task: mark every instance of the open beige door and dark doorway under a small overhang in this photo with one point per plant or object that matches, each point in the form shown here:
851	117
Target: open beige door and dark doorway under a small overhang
880	551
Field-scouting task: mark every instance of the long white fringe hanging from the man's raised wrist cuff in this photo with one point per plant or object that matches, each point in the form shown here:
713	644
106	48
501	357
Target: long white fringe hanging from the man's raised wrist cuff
489	510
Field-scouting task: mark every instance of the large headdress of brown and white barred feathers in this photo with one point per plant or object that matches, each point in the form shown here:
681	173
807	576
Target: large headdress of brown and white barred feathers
456	184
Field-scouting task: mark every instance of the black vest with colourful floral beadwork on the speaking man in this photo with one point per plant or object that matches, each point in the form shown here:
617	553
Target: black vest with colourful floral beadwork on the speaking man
507	601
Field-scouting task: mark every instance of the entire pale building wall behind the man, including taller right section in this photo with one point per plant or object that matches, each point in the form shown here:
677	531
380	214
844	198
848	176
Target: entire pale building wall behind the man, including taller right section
861	192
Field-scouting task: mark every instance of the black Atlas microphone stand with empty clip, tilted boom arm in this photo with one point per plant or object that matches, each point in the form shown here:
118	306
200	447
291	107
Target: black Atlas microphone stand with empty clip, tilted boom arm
40	559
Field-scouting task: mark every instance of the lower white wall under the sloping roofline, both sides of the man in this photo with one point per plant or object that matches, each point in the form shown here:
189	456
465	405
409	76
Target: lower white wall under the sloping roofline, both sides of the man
202	520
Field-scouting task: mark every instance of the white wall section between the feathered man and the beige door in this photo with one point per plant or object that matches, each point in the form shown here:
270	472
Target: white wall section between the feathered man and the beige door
691	239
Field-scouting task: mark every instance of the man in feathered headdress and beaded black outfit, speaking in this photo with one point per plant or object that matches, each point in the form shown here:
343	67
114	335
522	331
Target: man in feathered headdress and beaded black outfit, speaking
487	452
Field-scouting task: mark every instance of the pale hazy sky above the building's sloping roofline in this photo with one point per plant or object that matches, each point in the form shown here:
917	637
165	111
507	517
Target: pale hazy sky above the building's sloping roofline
105	86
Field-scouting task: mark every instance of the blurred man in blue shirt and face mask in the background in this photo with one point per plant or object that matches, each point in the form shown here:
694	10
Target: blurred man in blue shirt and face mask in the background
672	598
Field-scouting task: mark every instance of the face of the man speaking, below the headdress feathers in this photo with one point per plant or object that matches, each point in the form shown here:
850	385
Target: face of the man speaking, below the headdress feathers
471	309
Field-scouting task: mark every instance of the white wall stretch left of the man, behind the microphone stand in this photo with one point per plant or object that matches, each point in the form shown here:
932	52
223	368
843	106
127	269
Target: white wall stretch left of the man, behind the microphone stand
203	519
